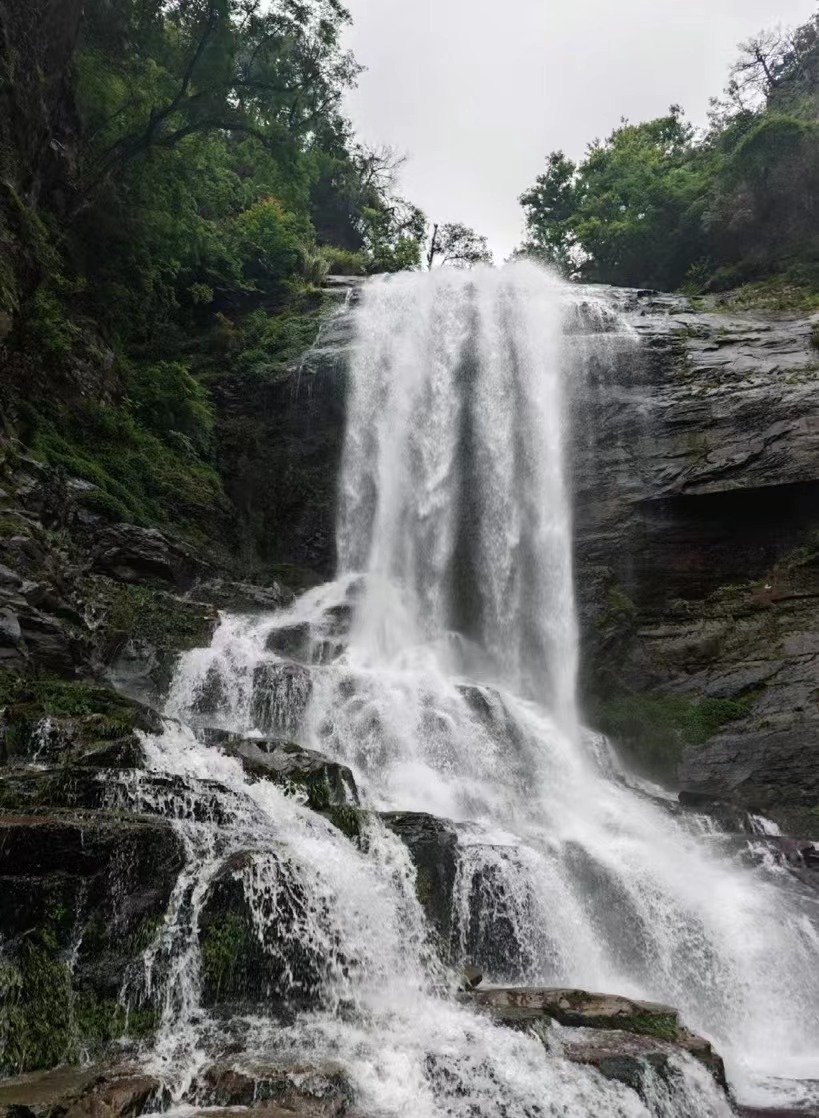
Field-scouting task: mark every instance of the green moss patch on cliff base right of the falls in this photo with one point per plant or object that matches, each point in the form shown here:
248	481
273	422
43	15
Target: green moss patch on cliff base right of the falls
656	729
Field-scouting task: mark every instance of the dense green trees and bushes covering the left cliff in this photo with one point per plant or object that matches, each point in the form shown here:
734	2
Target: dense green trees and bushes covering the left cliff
176	182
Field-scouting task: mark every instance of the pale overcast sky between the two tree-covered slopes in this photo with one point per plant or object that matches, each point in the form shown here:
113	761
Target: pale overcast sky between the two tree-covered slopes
478	92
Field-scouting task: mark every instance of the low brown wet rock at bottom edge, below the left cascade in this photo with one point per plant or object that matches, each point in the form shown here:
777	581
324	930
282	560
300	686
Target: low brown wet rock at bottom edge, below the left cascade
311	1093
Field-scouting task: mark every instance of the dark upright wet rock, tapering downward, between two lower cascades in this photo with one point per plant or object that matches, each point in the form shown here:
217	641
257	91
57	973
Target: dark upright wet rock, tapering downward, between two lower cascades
433	846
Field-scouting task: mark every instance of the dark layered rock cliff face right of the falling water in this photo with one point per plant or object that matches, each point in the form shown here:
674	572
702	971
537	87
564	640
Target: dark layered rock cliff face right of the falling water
698	525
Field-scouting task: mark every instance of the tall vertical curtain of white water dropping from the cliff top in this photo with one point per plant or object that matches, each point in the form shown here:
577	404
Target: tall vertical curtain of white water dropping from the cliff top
453	496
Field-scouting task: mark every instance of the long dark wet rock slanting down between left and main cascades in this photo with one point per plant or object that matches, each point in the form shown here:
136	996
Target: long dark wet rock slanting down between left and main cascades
326	783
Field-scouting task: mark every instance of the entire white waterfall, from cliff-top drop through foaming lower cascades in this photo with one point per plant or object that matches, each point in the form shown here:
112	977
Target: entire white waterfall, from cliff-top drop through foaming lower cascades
441	668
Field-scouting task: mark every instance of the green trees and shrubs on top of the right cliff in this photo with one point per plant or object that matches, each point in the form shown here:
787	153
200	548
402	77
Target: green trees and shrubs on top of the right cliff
660	205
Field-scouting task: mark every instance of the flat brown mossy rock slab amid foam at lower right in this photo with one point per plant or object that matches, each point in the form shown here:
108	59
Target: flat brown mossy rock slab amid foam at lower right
621	1019
